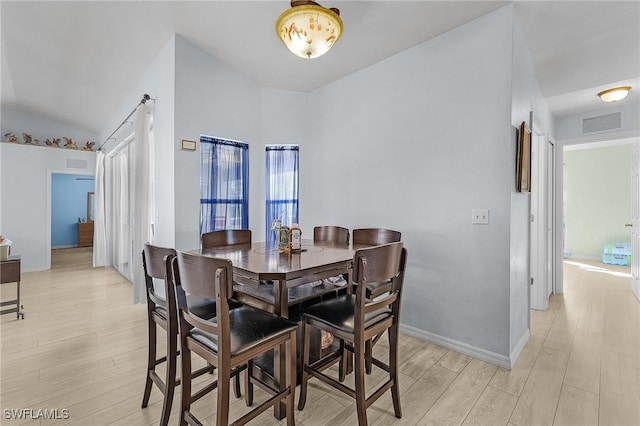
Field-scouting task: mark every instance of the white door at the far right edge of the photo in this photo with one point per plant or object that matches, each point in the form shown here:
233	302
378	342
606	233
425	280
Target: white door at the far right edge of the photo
635	219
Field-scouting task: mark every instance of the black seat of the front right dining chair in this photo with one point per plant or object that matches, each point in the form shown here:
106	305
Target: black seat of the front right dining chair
339	313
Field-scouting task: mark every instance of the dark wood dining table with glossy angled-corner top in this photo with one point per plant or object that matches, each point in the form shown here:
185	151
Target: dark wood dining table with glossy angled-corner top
278	280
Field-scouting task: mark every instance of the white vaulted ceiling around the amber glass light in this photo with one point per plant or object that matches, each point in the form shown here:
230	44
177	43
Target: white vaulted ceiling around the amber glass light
74	61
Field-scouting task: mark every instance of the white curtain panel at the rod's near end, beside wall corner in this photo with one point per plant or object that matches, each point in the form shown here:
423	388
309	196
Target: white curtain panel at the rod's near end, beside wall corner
143	209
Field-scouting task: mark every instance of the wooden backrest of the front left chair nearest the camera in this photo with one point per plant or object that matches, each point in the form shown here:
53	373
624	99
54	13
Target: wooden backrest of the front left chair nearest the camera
204	277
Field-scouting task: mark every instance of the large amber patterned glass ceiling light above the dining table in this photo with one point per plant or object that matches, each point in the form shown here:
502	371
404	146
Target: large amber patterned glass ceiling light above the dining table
308	29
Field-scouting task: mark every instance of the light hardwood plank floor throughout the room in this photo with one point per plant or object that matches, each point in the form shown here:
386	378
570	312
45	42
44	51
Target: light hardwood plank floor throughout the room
82	348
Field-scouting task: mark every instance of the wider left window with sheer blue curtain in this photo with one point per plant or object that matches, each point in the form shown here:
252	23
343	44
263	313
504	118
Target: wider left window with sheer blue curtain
224	184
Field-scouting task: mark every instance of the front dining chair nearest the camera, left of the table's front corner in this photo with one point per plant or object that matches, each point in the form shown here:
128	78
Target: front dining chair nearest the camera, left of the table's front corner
230	340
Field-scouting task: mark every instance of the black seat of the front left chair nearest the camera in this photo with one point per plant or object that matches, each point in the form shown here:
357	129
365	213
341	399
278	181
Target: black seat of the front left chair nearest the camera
249	328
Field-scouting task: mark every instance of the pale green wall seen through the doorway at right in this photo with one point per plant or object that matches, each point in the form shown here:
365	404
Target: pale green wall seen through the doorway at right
597	185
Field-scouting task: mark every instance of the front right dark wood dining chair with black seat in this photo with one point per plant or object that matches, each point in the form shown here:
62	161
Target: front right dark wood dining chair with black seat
355	319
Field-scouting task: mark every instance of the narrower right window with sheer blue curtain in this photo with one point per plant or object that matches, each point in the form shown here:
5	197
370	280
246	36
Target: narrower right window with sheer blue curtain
282	187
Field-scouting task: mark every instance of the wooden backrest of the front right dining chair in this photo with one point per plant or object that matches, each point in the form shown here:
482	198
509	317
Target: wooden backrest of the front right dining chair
379	263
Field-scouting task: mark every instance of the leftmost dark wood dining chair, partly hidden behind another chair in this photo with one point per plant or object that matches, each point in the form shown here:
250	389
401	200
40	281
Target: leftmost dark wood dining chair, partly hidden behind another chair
162	312
